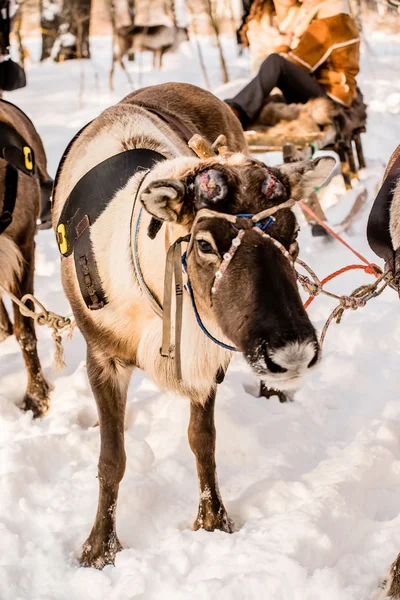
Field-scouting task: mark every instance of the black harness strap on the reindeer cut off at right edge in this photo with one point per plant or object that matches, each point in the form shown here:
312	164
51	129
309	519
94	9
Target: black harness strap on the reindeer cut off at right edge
378	228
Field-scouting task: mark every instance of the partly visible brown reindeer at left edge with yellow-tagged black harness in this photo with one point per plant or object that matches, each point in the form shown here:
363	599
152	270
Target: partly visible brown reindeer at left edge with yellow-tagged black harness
22	175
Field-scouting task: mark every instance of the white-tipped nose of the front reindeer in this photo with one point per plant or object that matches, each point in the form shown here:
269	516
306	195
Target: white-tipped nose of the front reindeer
293	358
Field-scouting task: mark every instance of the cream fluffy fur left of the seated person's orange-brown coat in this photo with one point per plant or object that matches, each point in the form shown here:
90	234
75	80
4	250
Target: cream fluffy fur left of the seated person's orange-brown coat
266	27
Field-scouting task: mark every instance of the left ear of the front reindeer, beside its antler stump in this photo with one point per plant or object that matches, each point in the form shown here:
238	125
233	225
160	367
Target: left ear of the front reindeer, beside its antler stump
163	199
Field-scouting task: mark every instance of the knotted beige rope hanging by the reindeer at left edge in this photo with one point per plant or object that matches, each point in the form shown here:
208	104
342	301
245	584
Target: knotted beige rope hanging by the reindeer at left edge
57	323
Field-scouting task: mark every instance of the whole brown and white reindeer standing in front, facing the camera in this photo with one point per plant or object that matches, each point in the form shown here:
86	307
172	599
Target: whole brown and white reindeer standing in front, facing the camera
115	278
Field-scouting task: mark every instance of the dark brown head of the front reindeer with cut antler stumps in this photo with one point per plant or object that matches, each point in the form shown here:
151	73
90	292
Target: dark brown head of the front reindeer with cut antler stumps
256	304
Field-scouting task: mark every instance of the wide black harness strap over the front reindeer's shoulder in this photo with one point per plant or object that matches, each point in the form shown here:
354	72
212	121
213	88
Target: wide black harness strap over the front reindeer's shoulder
89	198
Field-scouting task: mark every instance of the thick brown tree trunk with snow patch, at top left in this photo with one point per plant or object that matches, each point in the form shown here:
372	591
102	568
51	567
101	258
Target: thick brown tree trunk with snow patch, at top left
74	30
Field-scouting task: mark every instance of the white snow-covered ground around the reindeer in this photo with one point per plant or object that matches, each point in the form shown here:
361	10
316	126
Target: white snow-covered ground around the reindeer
313	486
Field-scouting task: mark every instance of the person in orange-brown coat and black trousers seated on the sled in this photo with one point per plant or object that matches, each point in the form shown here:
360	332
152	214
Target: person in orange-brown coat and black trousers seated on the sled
321	60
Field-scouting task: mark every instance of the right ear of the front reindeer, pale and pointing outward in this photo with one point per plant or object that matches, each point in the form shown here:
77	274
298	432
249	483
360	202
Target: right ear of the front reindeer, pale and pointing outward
308	175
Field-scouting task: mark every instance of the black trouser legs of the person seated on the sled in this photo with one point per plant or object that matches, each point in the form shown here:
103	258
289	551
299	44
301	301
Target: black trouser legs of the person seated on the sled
296	86
